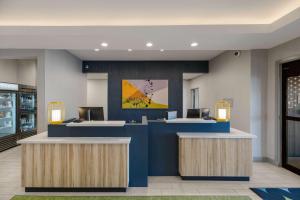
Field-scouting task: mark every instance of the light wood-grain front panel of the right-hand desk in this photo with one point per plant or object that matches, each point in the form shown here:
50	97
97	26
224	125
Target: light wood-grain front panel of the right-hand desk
215	157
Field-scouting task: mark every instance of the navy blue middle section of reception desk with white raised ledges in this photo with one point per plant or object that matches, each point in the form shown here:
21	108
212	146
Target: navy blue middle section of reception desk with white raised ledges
153	148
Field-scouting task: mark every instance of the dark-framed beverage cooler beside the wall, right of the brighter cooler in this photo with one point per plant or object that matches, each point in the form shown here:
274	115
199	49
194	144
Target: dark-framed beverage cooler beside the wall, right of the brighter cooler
27	111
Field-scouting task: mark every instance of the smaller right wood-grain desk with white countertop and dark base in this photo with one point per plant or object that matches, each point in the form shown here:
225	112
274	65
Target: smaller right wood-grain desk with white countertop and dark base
215	156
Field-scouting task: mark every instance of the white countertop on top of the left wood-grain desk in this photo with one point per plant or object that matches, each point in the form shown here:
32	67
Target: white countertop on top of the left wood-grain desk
43	138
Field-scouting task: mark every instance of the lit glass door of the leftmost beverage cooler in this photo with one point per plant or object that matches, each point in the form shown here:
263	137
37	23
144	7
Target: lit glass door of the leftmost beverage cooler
7	113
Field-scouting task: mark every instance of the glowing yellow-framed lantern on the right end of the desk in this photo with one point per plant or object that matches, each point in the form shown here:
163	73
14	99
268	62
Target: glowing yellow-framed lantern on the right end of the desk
222	111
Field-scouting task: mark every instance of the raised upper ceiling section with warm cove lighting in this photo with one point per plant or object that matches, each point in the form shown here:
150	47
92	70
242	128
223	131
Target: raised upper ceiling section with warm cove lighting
142	12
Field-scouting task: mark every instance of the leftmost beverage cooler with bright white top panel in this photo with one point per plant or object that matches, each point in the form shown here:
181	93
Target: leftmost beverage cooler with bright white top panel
8	108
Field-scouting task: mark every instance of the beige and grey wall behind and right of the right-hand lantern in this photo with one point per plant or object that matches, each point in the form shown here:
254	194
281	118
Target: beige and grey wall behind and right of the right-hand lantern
244	80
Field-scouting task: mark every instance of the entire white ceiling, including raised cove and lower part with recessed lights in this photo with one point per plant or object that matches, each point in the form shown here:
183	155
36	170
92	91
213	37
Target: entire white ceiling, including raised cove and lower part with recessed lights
81	26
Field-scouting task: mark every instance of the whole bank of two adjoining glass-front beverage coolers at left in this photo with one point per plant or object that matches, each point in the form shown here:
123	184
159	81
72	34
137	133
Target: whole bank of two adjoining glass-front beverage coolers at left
18	112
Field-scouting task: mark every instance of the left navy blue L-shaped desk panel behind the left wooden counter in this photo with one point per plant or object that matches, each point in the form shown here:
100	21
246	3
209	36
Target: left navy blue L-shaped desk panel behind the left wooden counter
138	147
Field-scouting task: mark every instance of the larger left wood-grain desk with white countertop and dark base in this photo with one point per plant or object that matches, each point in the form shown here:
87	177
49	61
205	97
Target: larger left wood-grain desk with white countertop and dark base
75	163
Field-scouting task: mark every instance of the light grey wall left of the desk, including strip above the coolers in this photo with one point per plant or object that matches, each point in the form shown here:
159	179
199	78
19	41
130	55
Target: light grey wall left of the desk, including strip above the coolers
58	78
